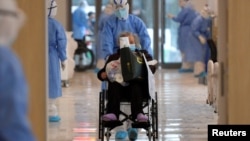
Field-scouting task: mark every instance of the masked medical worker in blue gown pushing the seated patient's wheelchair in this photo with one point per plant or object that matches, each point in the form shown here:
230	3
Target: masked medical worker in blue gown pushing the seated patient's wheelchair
118	22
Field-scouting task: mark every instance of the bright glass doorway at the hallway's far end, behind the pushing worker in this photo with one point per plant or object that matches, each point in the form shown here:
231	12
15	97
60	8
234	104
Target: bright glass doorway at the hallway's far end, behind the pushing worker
162	31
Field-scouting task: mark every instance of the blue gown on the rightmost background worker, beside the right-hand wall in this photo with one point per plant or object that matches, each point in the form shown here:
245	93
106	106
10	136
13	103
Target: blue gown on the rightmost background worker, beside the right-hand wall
197	51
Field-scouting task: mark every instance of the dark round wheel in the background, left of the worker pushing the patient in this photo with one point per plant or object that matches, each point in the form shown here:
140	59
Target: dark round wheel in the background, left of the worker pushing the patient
84	59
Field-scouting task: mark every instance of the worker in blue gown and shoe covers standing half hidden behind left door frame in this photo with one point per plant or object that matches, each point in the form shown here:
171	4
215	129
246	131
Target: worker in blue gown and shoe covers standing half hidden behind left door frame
57	57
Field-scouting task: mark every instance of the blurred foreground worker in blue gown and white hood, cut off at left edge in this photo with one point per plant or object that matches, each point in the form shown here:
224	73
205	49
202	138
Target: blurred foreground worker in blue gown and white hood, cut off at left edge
14	124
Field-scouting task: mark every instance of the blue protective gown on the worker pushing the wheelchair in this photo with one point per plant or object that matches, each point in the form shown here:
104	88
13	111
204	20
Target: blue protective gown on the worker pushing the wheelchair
114	27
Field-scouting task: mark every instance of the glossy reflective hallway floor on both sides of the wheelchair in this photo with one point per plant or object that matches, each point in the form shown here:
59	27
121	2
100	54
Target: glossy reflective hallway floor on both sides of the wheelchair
183	113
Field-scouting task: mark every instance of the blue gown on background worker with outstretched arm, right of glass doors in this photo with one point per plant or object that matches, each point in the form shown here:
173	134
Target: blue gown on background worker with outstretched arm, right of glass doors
185	17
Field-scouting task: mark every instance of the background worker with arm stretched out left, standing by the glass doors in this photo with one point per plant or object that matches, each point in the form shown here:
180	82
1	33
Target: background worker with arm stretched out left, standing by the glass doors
185	17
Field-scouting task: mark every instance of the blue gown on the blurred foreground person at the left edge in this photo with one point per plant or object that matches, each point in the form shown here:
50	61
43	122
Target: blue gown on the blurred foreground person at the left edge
14	125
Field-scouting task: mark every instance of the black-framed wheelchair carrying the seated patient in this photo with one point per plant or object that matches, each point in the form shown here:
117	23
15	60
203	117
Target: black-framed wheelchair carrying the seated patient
150	108
